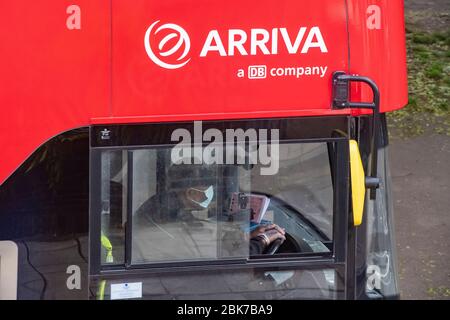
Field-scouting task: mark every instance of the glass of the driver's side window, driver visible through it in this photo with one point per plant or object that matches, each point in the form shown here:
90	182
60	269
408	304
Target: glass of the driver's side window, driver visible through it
191	212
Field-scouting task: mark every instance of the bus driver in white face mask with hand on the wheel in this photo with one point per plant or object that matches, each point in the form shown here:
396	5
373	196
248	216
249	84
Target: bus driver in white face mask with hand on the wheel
189	188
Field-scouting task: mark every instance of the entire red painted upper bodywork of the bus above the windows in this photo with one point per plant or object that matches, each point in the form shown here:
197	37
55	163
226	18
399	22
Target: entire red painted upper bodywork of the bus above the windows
147	61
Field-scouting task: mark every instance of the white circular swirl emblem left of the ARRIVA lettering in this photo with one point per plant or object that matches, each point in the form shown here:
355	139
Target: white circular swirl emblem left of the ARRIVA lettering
168	45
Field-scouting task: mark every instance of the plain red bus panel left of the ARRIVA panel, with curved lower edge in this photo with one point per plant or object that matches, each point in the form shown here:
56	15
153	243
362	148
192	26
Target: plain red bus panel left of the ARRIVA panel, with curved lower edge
55	72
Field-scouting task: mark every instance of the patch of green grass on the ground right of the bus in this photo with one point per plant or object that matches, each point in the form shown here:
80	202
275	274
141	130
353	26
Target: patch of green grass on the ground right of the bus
429	85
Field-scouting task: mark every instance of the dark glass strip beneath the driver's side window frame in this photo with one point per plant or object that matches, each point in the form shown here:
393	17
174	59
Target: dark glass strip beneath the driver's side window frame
240	284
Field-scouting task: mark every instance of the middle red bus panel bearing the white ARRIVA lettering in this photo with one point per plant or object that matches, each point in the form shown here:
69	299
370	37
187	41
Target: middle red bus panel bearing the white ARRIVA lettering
210	84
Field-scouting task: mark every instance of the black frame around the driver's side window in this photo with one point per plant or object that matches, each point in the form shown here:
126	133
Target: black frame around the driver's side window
303	130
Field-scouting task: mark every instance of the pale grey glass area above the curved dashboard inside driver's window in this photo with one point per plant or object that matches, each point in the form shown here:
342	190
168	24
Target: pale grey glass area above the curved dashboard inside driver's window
303	182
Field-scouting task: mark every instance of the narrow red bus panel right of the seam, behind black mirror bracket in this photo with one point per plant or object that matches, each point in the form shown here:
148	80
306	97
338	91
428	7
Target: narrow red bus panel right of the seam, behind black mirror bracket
377	50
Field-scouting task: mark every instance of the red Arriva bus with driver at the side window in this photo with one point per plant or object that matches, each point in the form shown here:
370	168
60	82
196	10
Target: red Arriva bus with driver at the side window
115	113
